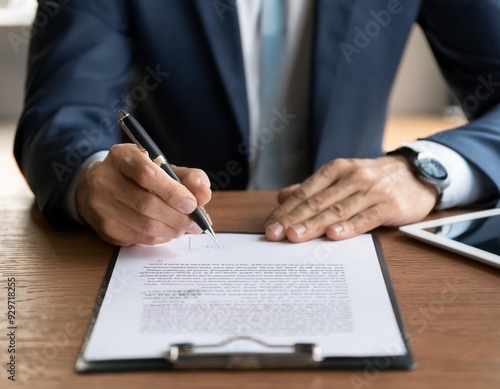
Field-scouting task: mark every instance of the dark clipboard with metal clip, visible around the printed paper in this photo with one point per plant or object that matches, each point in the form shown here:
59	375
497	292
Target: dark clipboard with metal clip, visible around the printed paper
191	356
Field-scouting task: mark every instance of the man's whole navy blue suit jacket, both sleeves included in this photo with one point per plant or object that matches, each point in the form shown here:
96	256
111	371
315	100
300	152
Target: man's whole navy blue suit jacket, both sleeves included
178	66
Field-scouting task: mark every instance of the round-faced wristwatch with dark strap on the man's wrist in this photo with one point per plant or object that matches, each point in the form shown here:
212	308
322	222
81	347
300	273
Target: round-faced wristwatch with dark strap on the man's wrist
426	167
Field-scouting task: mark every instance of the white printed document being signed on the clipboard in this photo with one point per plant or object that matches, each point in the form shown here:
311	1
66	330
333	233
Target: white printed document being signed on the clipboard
193	290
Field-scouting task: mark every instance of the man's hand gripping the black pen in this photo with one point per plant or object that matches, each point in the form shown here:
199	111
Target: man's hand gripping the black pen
129	200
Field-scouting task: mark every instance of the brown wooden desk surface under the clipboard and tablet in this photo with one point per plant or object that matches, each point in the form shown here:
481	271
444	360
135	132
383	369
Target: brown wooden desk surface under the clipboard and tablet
451	307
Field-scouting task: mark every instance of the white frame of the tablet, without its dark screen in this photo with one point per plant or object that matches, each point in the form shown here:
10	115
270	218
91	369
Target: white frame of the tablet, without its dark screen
417	231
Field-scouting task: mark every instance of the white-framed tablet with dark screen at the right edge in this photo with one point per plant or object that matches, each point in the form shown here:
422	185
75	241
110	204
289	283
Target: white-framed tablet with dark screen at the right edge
475	235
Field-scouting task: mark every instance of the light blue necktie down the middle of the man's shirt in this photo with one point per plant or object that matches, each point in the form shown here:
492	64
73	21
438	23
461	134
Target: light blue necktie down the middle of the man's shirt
281	156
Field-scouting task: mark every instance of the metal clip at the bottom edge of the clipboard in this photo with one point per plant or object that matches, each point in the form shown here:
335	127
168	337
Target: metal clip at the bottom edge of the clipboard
190	356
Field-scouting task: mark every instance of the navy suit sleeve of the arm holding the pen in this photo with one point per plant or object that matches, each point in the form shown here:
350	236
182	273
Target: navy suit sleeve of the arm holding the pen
78	67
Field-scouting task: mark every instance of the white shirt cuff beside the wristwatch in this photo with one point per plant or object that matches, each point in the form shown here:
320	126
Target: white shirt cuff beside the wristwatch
466	181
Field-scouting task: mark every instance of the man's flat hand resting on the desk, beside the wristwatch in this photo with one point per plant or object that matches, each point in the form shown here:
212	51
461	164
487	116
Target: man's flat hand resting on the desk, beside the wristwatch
348	197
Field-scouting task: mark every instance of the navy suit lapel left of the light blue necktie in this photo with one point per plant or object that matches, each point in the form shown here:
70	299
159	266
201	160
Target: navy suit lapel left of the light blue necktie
220	22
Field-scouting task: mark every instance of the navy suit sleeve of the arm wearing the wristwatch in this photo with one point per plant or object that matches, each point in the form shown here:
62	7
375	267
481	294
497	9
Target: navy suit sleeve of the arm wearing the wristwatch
465	38
